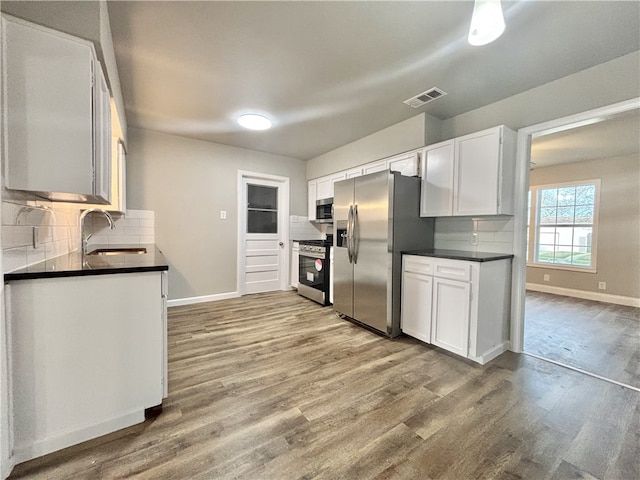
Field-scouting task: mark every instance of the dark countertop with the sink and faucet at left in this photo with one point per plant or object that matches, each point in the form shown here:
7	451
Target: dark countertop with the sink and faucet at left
72	264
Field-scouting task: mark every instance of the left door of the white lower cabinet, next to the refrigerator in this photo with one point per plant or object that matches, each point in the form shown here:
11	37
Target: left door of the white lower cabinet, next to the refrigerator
416	306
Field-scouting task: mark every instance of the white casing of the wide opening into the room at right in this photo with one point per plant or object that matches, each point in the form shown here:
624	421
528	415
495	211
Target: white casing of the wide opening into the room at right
523	158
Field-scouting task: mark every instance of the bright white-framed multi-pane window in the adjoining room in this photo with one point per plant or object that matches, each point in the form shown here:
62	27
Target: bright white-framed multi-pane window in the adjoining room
564	233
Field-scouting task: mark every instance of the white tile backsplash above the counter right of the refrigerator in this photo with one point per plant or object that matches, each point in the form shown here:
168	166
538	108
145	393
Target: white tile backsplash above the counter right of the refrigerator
475	234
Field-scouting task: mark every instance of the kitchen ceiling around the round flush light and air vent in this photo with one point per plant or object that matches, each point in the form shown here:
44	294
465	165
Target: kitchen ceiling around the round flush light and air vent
329	73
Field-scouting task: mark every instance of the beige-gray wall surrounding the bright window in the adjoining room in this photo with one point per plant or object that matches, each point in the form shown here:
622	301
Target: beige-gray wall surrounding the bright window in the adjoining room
618	247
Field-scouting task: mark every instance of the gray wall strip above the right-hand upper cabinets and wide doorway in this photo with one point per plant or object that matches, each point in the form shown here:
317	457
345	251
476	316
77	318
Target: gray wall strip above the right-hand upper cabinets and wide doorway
604	84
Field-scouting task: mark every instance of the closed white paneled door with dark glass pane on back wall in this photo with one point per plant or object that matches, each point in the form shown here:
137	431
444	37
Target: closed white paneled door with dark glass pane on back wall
264	234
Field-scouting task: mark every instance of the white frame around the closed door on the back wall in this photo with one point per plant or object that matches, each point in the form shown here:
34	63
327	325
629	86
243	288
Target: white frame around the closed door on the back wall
283	221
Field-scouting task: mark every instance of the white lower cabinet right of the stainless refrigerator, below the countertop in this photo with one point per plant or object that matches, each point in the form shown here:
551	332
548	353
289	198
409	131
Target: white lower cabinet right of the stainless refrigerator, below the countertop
461	306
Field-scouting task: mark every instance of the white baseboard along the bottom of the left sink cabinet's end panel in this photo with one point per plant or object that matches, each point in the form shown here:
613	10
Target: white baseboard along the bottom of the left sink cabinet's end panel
53	443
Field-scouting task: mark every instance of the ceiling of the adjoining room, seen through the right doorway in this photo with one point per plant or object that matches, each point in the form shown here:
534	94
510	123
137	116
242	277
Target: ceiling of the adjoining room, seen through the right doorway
605	139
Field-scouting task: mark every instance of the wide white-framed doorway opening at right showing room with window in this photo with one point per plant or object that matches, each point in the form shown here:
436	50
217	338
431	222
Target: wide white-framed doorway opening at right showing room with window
560	311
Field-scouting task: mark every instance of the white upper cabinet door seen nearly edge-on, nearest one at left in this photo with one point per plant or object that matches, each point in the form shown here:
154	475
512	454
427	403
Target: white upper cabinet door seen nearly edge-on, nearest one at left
102	135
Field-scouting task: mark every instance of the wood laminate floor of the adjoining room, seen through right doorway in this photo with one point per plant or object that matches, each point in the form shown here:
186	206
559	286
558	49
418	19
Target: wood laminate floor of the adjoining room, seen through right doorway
600	338
